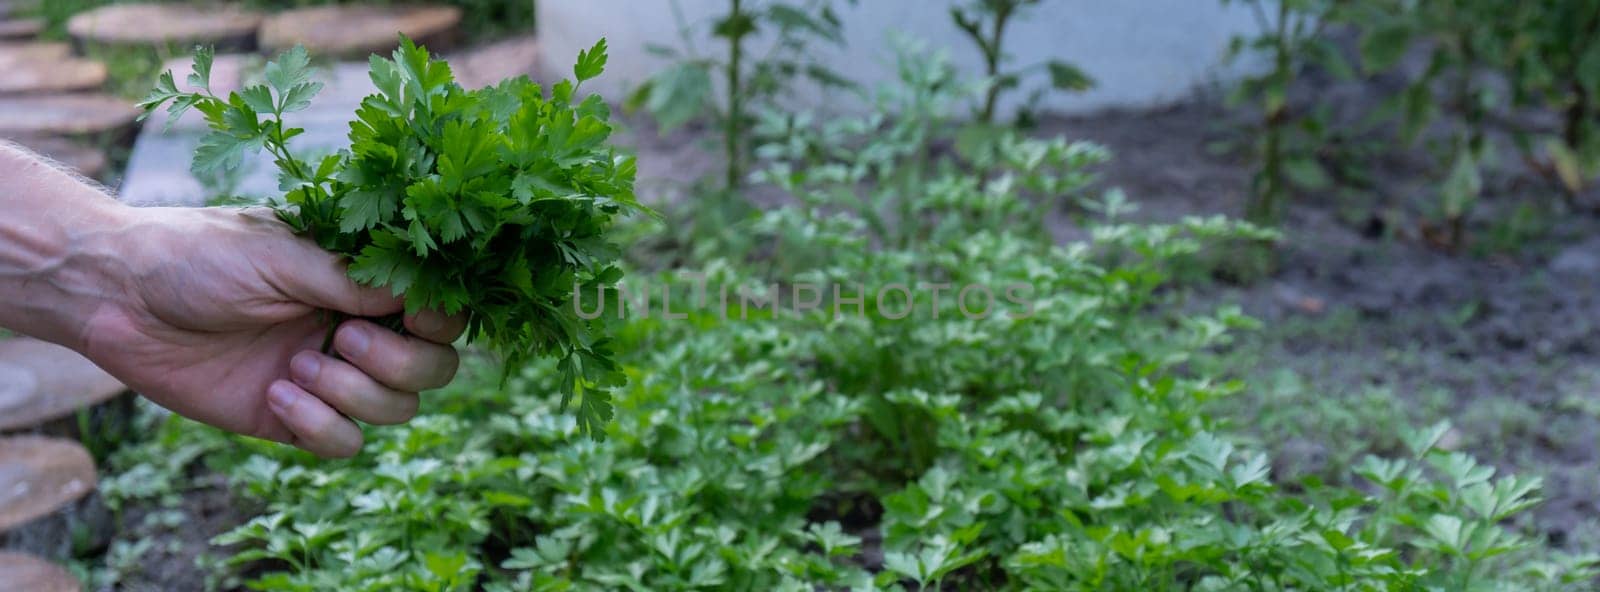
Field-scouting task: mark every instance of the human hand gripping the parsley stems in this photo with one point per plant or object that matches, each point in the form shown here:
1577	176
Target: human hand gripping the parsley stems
222	316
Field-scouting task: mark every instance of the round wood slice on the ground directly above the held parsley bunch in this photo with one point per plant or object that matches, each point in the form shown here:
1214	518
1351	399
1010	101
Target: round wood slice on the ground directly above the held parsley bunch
356	31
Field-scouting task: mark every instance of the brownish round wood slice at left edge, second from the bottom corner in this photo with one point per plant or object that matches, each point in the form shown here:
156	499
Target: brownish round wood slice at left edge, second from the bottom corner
41	476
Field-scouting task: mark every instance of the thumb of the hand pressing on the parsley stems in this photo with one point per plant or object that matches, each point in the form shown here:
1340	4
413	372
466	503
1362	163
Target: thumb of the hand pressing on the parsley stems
305	273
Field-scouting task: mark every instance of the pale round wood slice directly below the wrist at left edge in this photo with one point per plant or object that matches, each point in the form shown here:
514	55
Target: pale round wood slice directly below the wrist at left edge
42	382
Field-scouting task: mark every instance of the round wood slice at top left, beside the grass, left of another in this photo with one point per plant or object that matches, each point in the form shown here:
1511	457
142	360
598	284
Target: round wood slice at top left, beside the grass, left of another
226	28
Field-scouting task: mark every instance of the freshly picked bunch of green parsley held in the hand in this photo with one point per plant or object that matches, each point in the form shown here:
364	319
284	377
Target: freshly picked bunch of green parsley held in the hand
489	202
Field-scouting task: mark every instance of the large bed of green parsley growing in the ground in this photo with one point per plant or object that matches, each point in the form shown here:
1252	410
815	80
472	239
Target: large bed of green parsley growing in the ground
1055	438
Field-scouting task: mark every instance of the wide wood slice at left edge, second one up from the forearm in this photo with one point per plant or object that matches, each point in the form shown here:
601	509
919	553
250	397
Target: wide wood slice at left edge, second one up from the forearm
65	114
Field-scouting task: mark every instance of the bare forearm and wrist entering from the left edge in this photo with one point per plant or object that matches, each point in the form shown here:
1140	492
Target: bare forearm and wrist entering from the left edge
58	249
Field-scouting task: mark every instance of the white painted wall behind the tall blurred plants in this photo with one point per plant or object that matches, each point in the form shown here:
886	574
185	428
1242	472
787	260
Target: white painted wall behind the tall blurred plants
1143	54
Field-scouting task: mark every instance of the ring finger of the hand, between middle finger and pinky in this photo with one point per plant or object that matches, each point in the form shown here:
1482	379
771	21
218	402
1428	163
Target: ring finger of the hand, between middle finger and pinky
351	391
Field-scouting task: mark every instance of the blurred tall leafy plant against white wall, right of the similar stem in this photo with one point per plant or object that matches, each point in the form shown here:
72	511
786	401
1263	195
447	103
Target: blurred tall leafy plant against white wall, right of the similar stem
986	23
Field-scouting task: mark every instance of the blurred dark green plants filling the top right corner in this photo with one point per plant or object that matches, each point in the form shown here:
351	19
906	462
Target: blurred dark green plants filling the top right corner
1484	66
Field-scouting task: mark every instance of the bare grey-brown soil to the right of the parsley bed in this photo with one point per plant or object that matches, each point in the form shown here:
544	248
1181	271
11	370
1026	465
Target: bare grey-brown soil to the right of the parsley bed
1502	342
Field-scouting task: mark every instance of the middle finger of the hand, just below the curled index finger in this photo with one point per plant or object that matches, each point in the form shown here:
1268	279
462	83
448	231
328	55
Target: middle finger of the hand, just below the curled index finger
399	362
